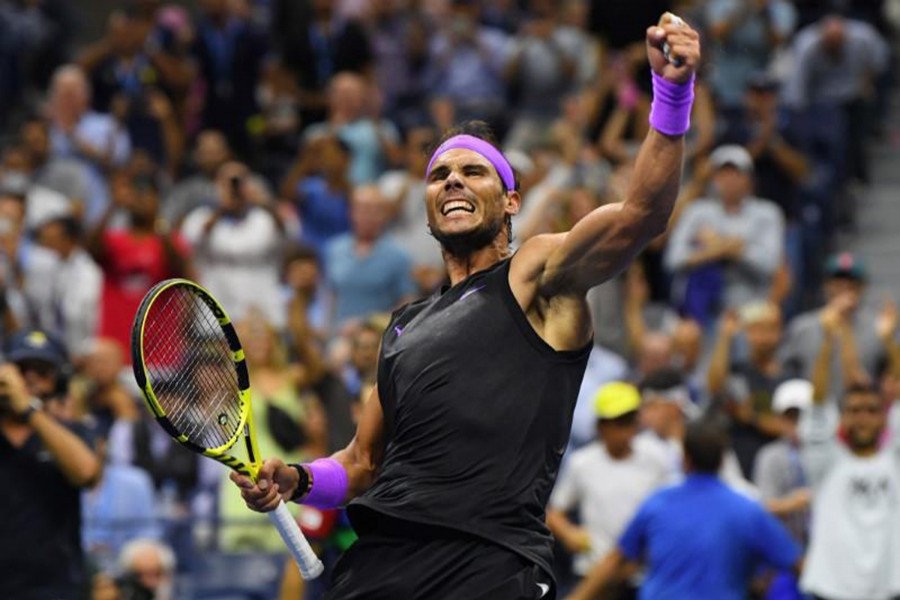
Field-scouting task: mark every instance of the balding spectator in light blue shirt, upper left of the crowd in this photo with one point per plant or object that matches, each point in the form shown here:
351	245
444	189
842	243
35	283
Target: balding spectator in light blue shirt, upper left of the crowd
95	139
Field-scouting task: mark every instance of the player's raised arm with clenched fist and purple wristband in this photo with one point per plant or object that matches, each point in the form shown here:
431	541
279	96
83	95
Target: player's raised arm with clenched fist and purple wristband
607	239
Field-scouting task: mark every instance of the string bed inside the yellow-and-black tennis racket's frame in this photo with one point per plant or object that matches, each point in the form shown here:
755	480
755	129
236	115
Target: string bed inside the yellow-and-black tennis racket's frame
191	368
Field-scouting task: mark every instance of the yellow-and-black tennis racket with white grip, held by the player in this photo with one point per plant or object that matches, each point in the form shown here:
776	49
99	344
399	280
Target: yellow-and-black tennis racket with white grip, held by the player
189	364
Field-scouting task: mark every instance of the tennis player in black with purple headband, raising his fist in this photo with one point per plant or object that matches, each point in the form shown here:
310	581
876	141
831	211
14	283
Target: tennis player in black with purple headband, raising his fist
458	448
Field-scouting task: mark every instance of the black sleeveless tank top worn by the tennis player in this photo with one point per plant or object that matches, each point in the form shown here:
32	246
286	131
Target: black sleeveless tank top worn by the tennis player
477	413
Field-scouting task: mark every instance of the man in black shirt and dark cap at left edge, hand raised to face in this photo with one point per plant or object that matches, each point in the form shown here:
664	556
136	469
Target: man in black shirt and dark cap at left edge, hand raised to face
51	460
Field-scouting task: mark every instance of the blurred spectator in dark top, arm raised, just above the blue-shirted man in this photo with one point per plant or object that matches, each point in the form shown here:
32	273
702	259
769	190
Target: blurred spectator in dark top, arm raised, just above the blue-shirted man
745	385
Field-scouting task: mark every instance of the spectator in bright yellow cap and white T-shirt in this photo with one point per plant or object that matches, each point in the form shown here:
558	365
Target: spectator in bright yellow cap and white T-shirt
605	481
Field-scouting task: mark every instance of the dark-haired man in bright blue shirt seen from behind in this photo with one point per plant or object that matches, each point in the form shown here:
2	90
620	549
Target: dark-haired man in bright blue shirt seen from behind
699	539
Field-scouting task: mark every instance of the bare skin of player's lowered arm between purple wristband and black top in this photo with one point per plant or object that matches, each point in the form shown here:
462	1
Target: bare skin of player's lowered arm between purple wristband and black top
362	456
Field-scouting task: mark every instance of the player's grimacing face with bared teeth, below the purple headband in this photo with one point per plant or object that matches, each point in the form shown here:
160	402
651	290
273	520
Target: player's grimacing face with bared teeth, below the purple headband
466	203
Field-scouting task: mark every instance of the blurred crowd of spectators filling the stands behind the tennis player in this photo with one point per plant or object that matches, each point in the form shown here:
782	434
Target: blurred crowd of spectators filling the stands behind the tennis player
274	151
